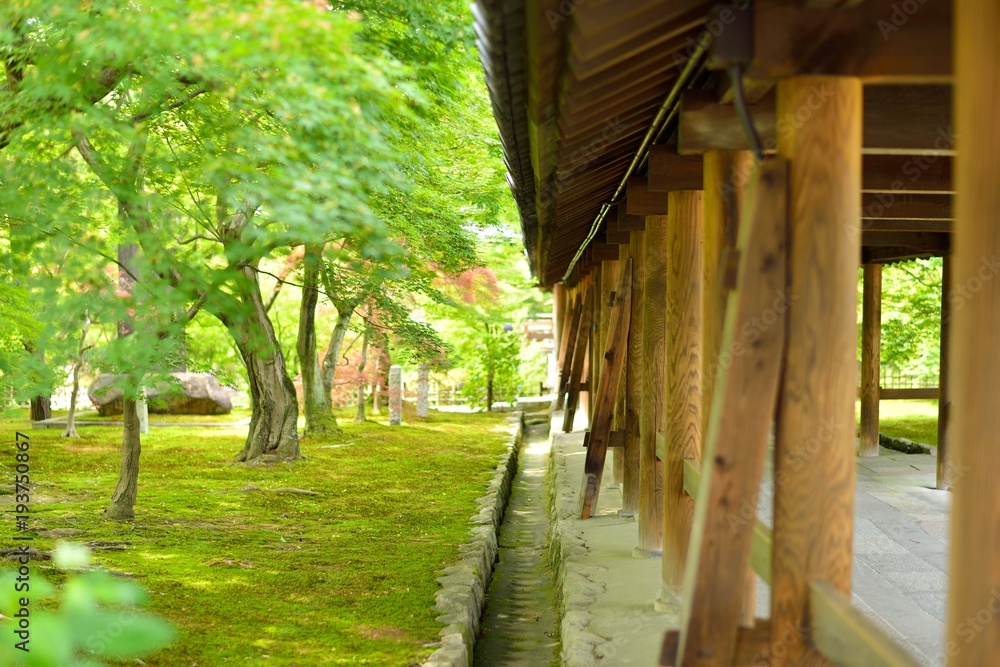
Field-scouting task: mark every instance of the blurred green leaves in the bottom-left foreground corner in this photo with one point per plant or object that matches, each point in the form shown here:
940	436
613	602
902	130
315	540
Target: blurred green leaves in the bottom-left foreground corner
97	617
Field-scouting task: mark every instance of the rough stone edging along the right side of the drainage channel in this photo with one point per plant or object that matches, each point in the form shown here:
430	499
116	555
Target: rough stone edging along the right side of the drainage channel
575	585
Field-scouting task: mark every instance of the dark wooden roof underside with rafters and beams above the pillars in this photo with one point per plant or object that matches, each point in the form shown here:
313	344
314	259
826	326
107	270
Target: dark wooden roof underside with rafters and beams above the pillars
577	85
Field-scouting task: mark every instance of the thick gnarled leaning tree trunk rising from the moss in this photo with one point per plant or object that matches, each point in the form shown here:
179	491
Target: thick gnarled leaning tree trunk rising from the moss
273	422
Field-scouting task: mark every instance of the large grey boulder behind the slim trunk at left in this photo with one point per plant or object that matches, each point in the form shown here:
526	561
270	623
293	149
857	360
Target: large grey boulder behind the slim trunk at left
192	394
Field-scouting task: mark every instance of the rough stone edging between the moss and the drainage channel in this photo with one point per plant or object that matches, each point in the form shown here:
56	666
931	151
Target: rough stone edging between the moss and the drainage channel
463	585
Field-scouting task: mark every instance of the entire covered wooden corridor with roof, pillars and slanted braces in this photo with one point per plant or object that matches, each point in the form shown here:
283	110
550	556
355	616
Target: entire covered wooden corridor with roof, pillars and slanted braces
699	185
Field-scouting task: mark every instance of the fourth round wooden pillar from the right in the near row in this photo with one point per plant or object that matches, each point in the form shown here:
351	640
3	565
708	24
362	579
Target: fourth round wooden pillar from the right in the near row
684	359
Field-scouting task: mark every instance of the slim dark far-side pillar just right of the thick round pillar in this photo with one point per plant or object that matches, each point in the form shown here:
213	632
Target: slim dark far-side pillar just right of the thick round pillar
871	337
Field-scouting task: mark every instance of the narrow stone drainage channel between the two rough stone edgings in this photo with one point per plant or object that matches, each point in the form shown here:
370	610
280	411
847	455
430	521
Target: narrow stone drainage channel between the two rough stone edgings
520	625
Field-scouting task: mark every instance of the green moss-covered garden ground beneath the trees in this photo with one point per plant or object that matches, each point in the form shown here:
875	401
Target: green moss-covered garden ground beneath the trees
262	577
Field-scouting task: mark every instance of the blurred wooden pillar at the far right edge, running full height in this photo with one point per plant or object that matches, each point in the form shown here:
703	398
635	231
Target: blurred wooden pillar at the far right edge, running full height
974	381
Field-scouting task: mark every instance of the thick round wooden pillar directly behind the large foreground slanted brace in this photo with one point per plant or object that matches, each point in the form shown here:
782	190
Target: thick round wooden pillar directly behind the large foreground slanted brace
814	466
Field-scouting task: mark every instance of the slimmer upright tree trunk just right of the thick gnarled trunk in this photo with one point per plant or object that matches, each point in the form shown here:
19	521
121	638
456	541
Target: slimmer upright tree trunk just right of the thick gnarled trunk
316	399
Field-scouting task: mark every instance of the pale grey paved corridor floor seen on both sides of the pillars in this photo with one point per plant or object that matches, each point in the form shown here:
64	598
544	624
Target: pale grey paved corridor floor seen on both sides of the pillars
609	594
